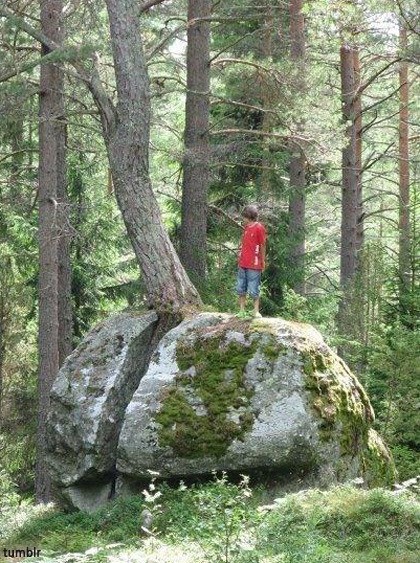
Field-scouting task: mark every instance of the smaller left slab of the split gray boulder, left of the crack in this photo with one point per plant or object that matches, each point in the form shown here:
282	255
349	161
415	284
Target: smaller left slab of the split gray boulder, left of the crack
88	402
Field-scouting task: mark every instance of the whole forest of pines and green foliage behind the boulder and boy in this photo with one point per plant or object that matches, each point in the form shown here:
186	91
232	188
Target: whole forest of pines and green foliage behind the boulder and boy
311	109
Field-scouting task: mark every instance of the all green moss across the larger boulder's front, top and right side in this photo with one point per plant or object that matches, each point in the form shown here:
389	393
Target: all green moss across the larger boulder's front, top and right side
209	403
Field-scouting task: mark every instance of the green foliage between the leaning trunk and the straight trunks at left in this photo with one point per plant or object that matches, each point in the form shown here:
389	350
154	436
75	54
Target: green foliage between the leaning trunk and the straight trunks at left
101	277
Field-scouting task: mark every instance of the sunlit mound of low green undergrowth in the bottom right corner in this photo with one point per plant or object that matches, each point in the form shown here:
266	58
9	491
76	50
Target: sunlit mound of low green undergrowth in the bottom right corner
342	525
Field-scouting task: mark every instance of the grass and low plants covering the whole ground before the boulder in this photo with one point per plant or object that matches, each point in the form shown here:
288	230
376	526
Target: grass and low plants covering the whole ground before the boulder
221	521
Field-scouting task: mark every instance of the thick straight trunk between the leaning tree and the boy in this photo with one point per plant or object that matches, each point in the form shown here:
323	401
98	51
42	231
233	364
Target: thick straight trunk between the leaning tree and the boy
193	241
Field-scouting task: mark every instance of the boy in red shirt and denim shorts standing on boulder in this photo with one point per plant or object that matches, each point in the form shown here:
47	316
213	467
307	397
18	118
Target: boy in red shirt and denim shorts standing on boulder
251	260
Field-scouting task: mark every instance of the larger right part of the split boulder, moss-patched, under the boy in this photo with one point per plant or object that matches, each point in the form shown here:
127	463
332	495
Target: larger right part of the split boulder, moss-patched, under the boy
269	395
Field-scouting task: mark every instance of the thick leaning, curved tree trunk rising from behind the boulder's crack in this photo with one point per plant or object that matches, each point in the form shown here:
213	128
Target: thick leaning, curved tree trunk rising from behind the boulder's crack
126	131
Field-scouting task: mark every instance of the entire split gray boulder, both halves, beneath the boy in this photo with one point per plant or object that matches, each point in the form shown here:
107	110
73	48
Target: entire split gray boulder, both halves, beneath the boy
218	394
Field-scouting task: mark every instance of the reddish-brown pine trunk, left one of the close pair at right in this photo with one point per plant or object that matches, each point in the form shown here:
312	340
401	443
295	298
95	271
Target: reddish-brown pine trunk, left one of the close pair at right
349	202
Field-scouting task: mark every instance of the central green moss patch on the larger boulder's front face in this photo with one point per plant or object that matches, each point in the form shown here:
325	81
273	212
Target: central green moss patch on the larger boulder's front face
218	385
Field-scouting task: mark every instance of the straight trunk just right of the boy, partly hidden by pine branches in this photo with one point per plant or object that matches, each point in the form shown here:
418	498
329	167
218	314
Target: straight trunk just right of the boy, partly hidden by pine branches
297	197
